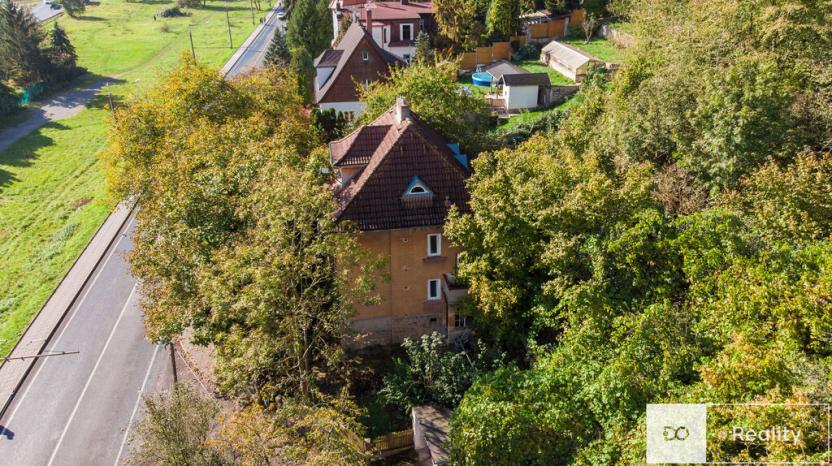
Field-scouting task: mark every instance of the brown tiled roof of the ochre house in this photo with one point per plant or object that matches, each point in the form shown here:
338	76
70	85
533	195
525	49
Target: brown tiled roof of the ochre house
374	199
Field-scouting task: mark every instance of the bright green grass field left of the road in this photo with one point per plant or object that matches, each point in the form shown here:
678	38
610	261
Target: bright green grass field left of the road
52	196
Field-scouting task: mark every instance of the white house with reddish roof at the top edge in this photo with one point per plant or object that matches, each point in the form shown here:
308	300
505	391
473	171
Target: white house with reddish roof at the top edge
393	24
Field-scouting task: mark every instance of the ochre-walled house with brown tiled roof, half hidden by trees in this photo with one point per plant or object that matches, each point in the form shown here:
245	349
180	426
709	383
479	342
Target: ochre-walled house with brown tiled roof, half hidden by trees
397	181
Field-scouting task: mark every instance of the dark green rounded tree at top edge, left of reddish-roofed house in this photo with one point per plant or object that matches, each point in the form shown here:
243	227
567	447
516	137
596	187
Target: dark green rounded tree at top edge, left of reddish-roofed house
310	26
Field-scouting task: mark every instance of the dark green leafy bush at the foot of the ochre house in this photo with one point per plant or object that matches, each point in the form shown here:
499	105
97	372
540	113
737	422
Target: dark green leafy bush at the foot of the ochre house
434	374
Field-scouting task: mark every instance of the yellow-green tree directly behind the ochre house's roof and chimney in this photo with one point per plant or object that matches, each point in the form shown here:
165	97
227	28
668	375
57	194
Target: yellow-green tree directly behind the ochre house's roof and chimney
434	97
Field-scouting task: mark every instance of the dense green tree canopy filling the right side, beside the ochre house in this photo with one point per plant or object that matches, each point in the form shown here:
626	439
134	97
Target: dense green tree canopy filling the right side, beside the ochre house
668	243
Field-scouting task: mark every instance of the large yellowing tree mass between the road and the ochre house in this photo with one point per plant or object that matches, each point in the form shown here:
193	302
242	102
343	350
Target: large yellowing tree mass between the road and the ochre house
220	170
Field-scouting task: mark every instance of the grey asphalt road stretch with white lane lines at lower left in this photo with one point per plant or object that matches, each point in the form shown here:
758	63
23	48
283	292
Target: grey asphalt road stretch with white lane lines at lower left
77	408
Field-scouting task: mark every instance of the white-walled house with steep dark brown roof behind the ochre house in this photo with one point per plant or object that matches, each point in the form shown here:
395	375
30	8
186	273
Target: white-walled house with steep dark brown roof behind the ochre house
356	60
